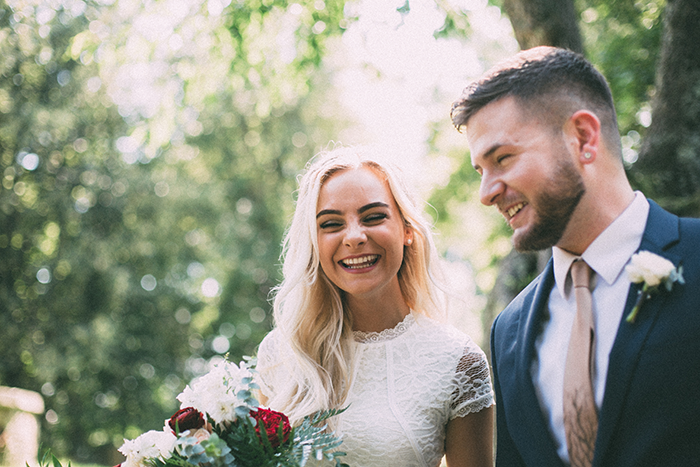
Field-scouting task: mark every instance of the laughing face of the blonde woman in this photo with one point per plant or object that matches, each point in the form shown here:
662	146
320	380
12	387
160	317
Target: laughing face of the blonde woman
361	234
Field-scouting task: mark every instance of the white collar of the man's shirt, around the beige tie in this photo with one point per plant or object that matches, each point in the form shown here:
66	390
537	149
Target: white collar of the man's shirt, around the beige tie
608	254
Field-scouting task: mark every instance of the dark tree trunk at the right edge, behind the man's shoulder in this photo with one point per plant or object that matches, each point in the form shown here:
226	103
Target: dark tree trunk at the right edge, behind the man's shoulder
669	161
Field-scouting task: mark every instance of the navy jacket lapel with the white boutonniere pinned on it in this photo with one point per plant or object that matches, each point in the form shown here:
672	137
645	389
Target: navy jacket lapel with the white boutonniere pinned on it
662	231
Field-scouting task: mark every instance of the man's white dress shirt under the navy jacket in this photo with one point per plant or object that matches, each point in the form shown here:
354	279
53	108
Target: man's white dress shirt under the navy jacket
608	255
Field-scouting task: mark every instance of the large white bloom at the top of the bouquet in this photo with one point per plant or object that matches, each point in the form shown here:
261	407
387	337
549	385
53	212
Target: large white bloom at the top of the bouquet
216	393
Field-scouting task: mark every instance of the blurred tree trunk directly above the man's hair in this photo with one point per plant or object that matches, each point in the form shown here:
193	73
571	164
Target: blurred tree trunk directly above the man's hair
545	22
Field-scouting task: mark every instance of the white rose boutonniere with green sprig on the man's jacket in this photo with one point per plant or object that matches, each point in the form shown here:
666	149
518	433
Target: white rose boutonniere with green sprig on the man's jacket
652	270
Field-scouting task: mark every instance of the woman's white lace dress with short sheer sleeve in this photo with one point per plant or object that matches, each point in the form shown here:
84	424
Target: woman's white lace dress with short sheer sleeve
409	382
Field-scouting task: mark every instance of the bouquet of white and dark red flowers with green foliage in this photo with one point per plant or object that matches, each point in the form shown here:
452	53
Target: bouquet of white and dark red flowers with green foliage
220	424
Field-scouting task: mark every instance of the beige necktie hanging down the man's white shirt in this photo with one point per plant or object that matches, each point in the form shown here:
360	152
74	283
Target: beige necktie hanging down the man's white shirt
580	414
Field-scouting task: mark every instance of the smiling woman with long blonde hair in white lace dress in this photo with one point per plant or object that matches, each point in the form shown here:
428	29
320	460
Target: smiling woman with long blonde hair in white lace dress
355	325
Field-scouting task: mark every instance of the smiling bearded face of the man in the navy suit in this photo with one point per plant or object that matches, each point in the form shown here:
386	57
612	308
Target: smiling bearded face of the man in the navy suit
527	172
